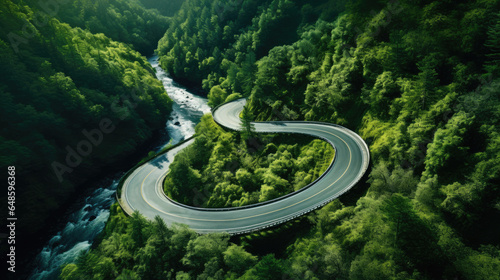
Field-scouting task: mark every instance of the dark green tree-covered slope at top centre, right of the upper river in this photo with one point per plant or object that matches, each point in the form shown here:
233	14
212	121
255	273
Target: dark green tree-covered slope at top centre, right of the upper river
209	40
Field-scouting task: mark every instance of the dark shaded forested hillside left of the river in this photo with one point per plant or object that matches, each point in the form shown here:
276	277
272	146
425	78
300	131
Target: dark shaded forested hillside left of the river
72	104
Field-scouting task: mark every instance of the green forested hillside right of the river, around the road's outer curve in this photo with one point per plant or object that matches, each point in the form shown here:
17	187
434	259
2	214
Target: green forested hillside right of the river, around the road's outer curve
418	80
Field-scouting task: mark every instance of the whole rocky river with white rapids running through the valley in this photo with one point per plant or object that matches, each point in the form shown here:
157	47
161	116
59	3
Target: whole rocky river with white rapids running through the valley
187	109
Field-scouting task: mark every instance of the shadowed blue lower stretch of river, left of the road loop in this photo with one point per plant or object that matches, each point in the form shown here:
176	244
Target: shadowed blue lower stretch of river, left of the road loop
84	217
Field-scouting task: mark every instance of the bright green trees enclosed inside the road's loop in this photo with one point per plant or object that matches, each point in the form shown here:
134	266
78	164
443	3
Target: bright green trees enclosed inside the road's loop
222	169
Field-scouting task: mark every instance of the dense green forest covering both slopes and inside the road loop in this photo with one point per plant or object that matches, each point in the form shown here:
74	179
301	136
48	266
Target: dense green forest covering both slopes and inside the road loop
418	80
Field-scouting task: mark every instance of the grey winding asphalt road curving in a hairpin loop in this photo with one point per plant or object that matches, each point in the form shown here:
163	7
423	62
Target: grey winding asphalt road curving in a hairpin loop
143	191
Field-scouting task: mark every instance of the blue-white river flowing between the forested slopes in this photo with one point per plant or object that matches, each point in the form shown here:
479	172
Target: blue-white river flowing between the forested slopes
89	215
